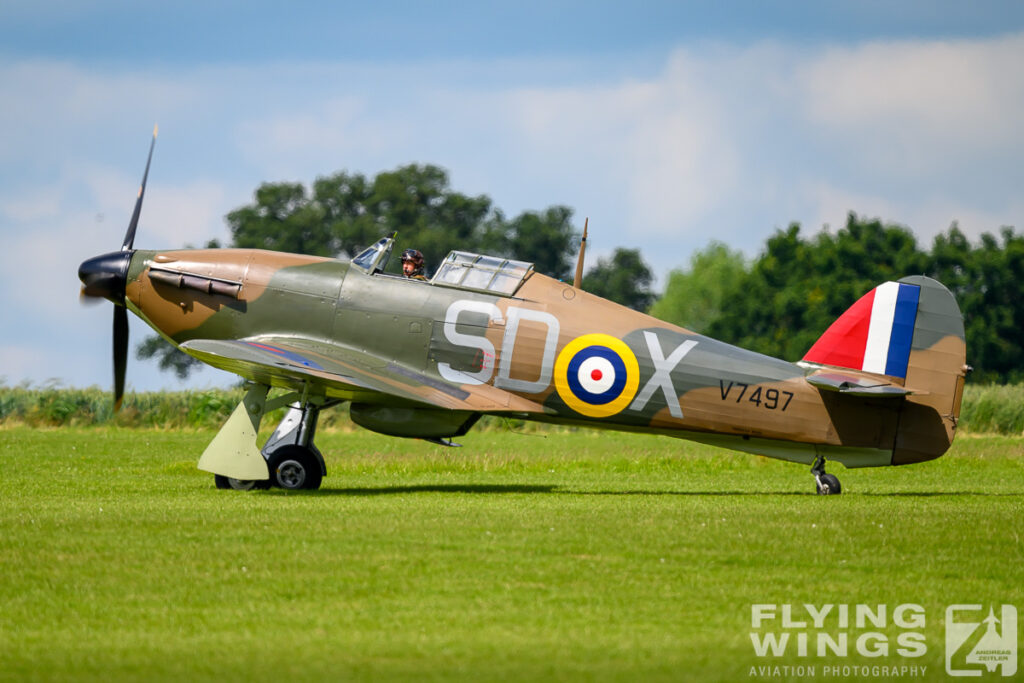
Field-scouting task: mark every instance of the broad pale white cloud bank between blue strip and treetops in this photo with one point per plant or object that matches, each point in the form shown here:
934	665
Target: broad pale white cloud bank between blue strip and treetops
718	143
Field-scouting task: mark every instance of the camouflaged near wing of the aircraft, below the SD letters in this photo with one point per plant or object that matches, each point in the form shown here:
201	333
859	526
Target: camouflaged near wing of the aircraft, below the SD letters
345	373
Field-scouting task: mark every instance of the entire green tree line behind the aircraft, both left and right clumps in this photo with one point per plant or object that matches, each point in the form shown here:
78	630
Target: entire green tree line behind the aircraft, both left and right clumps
777	304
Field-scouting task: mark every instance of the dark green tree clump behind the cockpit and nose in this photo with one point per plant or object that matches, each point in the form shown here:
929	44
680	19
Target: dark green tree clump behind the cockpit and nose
344	214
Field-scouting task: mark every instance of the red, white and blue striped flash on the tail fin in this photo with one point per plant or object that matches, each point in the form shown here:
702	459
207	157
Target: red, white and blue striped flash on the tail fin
875	334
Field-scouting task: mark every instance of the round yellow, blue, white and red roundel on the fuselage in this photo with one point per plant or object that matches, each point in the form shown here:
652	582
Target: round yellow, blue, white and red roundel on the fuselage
598	375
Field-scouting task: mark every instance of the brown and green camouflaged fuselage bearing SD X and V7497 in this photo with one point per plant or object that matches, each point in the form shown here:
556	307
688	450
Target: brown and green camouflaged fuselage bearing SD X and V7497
581	359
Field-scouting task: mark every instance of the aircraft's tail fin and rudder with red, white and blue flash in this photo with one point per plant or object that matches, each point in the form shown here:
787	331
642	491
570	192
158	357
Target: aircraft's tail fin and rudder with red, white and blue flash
912	333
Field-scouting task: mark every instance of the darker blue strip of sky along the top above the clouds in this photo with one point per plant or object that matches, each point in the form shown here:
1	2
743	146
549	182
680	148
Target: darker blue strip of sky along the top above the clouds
254	32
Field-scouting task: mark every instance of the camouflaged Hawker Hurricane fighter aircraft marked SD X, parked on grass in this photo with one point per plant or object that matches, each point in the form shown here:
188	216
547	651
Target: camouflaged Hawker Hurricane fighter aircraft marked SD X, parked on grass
493	336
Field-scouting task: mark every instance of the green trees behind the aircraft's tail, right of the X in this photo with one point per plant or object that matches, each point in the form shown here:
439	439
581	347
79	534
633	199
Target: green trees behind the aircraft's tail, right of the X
787	297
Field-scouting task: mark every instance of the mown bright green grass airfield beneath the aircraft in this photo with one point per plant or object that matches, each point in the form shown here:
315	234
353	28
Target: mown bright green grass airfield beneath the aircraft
523	557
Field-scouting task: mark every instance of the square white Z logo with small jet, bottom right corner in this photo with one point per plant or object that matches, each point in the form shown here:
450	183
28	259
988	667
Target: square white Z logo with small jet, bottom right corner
978	643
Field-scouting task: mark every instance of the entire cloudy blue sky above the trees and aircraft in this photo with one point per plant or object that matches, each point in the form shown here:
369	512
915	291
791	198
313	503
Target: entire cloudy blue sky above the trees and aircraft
669	124
